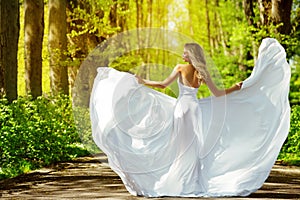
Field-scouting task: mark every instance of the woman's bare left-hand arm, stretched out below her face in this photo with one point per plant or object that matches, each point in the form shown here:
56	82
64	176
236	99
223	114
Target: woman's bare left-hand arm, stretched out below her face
160	84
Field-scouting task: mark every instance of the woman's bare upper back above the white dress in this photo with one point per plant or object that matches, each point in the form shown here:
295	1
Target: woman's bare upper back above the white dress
188	75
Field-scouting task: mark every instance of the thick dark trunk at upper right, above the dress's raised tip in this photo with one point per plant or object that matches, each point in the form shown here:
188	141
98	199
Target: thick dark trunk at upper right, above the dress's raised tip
281	13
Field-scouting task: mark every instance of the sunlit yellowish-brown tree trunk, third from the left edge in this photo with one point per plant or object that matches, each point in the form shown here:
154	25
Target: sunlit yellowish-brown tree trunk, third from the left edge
57	47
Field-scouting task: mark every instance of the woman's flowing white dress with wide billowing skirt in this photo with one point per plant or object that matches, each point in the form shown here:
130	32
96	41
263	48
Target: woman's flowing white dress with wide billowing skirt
189	147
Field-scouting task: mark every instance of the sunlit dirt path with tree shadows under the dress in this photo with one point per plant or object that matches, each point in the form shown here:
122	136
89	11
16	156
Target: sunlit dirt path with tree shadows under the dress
91	178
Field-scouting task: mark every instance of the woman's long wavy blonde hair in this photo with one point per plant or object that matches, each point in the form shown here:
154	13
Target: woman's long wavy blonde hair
197	59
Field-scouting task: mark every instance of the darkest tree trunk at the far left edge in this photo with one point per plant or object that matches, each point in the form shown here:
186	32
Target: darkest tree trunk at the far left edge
9	36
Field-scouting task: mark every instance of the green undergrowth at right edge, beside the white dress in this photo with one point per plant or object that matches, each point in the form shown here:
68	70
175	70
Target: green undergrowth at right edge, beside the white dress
290	152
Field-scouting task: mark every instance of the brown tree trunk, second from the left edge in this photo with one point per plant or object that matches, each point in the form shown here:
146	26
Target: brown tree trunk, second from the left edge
34	32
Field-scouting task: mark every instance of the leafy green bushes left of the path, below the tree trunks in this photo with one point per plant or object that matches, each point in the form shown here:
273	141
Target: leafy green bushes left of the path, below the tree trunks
35	133
